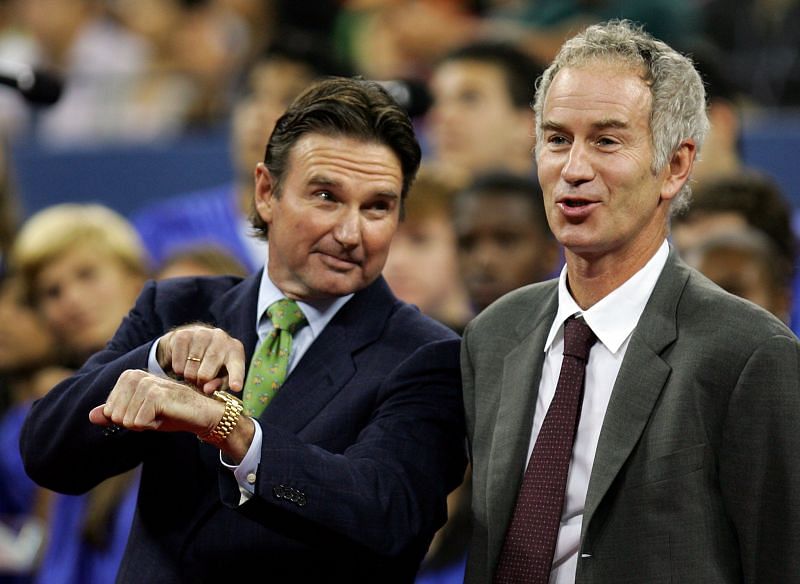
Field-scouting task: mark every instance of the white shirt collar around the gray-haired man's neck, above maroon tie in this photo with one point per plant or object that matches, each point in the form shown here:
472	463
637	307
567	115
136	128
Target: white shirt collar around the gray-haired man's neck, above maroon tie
614	317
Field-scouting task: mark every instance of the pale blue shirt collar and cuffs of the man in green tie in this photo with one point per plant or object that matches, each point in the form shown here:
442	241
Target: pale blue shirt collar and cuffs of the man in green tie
318	314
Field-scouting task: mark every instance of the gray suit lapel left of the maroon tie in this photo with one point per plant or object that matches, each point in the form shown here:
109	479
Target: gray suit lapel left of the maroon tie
522	369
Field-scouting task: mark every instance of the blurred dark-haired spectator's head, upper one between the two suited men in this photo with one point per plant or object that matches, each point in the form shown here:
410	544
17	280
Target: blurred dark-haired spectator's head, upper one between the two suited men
481	118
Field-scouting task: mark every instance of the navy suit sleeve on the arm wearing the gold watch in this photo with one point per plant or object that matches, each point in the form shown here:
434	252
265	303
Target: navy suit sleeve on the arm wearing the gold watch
389	487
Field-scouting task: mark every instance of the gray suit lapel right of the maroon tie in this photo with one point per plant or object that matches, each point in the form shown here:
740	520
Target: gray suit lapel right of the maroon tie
640	382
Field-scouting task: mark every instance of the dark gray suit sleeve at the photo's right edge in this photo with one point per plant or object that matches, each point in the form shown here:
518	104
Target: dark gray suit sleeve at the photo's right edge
760	462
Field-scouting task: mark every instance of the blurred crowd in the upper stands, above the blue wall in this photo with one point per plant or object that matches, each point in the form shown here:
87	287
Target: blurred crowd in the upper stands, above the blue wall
147	69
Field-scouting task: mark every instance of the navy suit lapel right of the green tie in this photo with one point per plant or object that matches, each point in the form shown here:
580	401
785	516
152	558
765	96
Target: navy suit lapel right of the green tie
328	364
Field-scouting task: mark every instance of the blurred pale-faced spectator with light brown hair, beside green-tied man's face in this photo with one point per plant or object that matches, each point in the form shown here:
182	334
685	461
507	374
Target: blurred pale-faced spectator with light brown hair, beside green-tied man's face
422	267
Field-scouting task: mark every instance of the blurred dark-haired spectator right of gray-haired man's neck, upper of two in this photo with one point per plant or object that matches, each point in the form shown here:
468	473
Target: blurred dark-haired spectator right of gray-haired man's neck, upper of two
732	204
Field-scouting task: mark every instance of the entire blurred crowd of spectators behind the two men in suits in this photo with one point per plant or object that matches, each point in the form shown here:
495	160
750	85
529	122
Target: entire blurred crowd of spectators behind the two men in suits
475	227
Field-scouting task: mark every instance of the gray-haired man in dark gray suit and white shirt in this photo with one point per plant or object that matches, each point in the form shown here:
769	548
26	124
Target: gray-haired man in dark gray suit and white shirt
686	460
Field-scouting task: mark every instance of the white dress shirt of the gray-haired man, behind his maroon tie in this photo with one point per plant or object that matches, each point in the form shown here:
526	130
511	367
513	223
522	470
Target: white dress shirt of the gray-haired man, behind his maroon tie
613	319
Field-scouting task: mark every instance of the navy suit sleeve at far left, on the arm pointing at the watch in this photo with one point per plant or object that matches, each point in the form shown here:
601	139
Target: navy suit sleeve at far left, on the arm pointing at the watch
60	448
